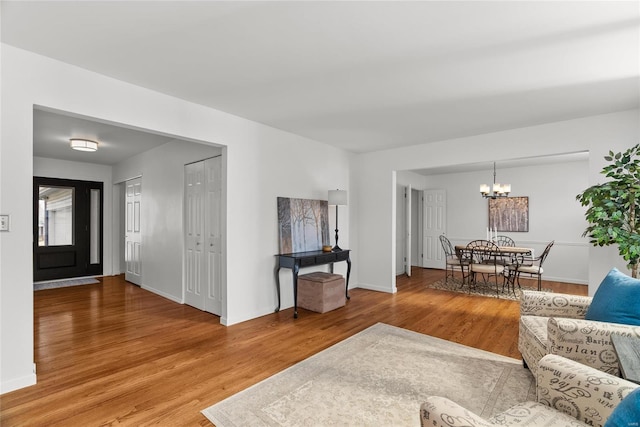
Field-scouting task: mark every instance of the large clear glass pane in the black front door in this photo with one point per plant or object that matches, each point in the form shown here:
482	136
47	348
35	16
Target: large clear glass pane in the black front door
55	216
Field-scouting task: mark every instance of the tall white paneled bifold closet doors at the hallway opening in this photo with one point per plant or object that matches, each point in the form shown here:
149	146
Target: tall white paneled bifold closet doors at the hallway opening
203	249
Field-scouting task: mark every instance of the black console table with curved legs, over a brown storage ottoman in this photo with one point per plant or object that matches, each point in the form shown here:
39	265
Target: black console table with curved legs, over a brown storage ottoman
297	260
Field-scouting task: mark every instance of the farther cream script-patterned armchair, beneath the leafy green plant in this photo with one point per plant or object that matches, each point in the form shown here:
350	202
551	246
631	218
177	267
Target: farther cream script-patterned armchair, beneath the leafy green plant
553	323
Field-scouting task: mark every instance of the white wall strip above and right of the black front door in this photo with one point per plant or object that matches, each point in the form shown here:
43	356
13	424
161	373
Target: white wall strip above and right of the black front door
53	168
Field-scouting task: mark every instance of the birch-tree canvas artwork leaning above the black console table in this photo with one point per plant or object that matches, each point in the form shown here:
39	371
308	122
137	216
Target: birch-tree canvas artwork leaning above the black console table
303	224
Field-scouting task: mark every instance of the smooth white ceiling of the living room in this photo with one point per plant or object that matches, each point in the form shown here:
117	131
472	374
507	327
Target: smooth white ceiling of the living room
359	75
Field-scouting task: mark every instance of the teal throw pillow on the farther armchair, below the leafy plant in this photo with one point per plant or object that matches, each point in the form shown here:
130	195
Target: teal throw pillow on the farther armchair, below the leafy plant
617	300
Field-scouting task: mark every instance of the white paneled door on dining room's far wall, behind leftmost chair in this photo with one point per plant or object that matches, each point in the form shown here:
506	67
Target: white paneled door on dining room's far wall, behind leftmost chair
435	215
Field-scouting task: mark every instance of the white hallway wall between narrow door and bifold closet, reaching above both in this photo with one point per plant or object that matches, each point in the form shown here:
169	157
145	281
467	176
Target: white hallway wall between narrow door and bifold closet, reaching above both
162	171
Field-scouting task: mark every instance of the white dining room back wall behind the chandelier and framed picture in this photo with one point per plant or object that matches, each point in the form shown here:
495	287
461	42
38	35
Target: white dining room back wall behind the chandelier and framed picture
554	213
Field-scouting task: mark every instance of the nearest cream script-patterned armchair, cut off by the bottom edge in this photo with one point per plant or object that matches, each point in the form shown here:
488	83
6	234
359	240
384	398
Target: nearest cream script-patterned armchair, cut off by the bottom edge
568	394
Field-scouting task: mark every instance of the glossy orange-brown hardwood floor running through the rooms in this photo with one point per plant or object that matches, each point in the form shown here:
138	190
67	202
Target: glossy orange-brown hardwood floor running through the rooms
116	354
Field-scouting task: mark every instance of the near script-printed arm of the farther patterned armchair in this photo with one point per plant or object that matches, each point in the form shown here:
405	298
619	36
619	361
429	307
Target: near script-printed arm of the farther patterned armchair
587	341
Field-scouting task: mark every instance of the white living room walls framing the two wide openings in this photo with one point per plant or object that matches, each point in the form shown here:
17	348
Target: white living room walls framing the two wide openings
261	164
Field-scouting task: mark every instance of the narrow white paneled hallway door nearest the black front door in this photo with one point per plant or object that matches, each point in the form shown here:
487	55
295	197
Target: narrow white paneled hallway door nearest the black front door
133	231
